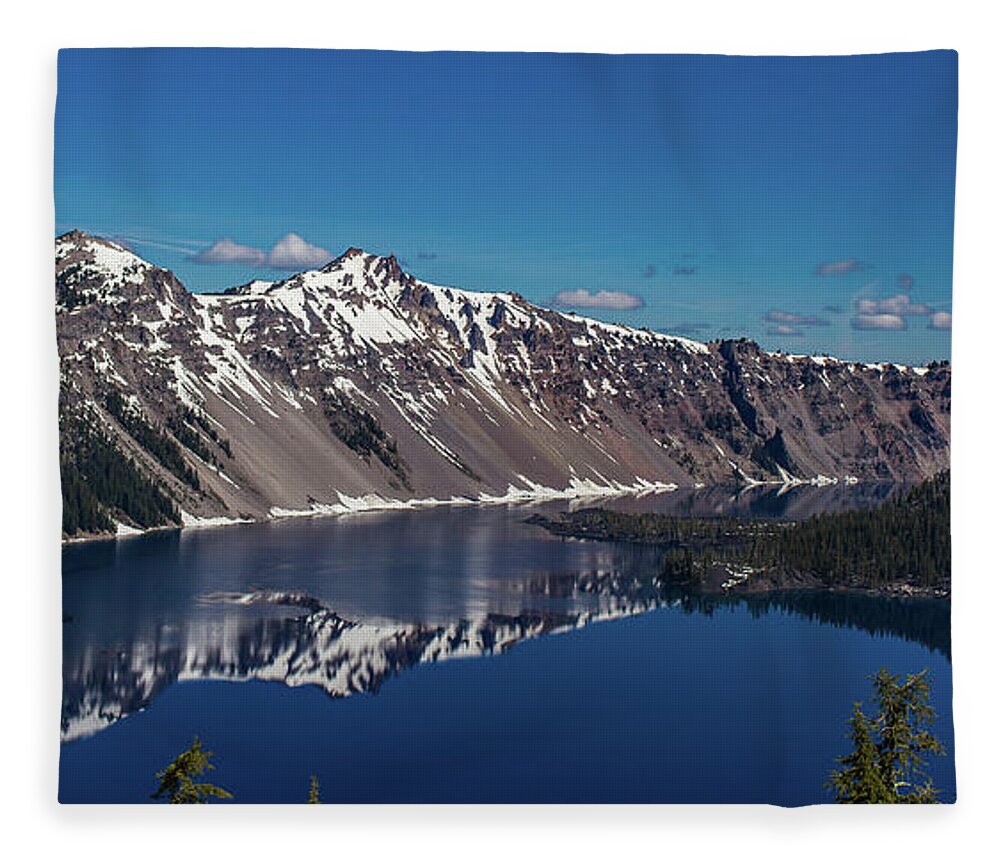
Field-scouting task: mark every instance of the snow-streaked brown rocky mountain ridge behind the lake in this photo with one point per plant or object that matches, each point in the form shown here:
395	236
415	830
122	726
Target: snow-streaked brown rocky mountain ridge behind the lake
359	385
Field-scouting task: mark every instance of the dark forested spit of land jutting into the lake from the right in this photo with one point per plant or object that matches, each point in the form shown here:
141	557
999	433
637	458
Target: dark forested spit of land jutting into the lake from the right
902	546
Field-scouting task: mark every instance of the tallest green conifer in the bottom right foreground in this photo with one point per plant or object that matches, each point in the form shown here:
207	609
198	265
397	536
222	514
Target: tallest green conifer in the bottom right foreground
887	762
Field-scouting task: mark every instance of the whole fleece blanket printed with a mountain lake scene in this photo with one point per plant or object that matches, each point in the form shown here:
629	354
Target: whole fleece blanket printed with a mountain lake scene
625	379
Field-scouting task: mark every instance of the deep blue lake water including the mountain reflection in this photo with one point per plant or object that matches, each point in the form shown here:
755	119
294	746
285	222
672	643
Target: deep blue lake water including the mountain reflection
330	647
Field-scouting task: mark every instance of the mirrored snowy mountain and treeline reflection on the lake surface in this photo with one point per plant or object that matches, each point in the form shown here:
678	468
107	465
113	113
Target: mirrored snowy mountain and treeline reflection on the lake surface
292	638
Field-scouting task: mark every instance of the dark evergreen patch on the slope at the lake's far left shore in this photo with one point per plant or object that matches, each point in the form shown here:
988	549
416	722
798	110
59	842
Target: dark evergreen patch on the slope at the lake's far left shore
98	479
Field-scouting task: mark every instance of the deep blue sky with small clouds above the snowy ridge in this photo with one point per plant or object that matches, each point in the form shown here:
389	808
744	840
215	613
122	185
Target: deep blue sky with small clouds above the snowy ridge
804	202
